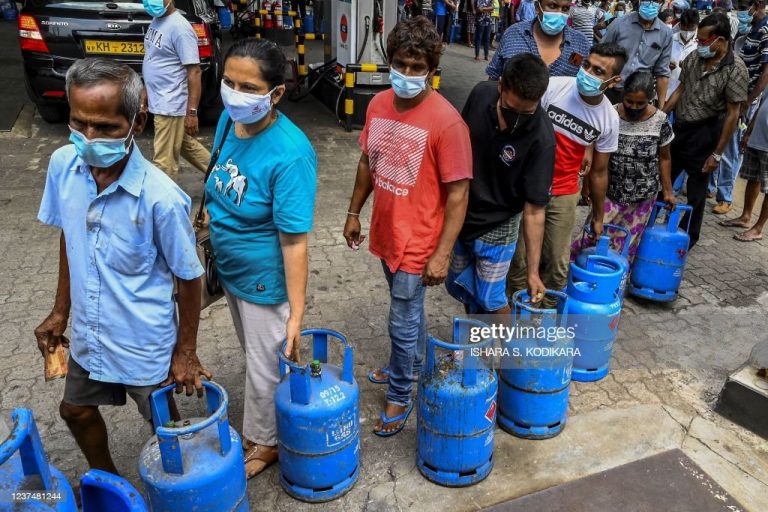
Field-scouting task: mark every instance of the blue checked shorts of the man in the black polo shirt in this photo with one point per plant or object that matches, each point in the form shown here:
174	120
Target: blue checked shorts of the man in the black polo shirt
478	273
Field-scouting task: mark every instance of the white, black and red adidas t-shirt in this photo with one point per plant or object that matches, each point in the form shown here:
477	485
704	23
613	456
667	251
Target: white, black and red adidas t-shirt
577	125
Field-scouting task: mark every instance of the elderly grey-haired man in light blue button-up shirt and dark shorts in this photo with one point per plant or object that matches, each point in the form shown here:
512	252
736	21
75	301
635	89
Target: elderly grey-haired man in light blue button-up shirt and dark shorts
126	235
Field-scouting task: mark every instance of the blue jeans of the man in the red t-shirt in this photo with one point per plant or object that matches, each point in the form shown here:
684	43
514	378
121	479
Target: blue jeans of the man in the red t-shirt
407	333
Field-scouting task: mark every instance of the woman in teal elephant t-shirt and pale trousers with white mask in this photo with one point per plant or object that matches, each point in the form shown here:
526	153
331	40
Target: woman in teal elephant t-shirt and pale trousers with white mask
260	197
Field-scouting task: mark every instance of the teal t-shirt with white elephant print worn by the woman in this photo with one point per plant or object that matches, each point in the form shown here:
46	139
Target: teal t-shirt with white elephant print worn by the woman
259	187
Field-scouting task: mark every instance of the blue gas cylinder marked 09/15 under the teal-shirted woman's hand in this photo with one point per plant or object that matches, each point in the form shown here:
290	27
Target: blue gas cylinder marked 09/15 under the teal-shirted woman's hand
318	425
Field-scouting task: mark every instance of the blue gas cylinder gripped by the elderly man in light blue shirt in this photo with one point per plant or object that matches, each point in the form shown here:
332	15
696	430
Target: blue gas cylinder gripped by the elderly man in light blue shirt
197	466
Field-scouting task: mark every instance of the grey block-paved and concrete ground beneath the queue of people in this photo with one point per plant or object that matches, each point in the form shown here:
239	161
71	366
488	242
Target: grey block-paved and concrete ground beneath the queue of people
669	363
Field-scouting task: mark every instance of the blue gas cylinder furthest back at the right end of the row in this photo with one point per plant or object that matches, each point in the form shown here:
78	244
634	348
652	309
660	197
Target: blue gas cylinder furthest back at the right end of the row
661	255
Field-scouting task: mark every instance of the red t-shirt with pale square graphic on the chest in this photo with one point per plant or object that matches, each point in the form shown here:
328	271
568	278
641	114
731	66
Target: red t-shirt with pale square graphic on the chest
411	155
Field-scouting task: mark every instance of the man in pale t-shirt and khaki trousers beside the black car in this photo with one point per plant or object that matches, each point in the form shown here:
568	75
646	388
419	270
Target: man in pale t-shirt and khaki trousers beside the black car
172	76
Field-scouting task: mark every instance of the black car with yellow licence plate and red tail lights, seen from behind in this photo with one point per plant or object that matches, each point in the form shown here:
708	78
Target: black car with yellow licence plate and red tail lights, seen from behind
54	33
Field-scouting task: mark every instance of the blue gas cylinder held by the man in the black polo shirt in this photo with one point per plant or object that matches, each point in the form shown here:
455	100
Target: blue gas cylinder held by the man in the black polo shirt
535	374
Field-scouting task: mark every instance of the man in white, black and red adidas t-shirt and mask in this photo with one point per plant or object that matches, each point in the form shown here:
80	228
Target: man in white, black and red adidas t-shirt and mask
582	116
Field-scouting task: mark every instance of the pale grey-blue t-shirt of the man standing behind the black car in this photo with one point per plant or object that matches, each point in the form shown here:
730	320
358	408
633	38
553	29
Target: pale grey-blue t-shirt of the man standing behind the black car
169	45
